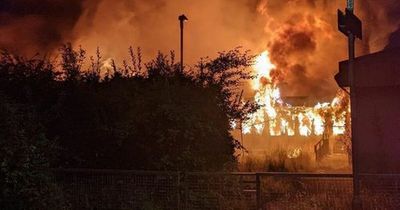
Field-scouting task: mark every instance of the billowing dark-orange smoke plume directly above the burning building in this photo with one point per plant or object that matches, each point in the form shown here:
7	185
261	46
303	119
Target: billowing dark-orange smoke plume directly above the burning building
304	44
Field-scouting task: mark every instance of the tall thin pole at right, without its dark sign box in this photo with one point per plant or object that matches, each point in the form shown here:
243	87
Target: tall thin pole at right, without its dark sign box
356	181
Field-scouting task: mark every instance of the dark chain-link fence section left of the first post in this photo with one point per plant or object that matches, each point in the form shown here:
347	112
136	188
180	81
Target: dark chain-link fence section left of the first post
109	189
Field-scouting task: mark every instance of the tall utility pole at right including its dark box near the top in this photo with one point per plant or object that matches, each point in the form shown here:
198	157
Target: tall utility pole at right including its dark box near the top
351	26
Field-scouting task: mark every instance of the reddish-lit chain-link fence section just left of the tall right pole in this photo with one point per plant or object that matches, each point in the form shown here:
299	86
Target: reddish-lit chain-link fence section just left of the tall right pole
305	191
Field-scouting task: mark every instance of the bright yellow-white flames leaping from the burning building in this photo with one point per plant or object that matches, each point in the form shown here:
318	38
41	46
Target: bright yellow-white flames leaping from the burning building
276	118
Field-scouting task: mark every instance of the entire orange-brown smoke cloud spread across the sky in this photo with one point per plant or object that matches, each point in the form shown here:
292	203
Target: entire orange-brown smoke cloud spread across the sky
301	35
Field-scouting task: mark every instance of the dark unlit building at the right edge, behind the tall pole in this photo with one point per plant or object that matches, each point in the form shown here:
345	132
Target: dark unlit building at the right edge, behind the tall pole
377	128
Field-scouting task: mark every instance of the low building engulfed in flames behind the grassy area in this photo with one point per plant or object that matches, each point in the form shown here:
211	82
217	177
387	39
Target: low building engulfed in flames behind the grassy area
292	122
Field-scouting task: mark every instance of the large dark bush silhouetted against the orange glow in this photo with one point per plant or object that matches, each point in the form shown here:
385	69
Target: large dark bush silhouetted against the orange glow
134	117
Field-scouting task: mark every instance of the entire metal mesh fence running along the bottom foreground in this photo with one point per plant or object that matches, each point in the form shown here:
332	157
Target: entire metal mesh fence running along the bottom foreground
110	189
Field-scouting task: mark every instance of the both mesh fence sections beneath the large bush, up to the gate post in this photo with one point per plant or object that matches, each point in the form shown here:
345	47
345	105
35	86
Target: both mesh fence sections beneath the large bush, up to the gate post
109	189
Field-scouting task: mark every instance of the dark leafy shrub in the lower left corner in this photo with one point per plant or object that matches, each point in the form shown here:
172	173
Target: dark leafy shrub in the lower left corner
25	155
